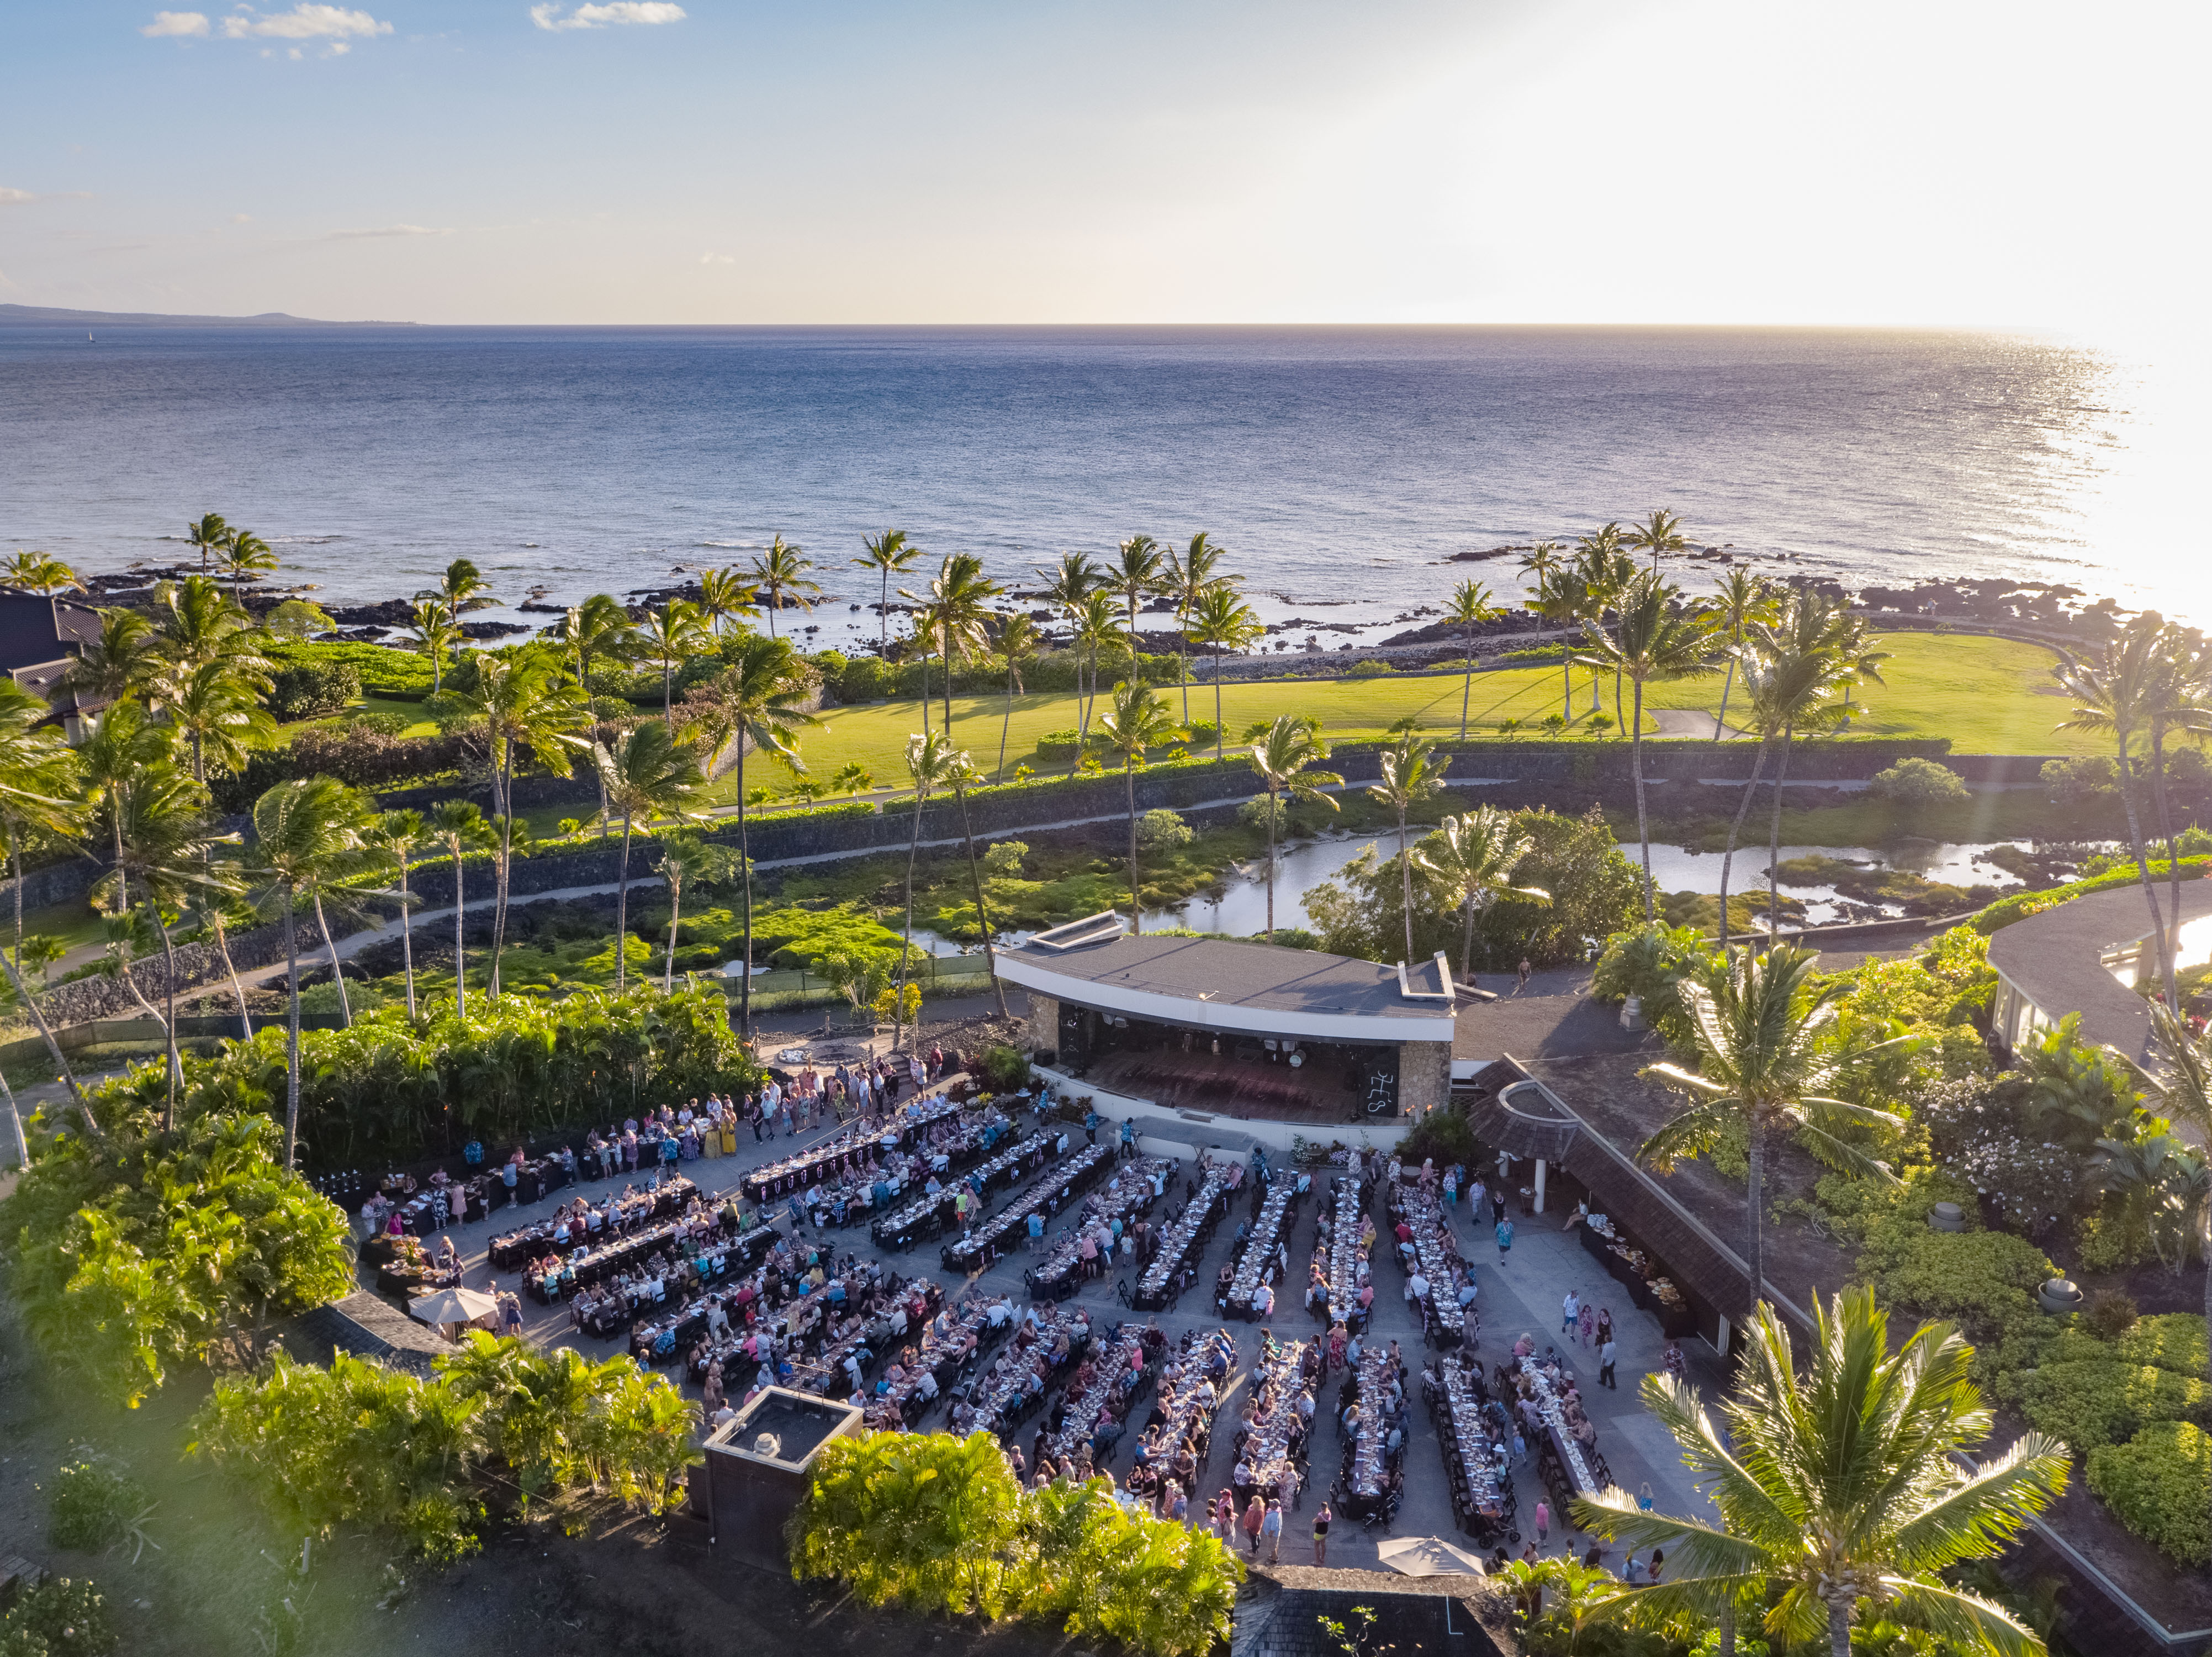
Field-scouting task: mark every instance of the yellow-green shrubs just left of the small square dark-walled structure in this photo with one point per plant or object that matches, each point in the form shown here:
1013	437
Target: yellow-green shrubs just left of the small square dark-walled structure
371	1446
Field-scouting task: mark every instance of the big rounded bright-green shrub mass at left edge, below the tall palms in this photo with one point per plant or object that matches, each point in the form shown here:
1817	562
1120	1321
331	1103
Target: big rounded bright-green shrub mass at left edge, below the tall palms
160	1249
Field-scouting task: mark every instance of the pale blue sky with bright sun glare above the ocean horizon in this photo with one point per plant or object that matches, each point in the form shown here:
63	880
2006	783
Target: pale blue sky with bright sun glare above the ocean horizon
1136	163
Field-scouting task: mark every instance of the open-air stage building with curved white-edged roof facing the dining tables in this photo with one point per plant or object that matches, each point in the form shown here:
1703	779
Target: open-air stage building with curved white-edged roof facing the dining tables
1240	1030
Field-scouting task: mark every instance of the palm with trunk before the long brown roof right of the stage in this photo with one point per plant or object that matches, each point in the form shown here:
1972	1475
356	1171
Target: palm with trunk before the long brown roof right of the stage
1764	1061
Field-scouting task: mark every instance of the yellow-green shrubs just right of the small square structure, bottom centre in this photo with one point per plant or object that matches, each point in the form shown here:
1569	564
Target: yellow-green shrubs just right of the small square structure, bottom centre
939	1523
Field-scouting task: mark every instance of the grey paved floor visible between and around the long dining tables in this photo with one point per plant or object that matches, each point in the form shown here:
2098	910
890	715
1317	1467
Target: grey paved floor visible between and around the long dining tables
1521	1295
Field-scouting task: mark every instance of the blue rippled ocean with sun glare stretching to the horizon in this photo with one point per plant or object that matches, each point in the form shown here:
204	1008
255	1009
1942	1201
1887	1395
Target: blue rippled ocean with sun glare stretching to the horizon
1339	466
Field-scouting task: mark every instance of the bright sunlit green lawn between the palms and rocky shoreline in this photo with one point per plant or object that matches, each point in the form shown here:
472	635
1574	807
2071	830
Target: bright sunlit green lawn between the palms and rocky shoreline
1981	694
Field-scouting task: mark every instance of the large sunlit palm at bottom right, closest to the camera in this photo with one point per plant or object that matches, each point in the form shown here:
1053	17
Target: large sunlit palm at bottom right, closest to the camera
1844	1490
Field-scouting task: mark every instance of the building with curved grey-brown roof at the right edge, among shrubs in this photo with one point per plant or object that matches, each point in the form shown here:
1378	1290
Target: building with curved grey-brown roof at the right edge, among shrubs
2087	957
